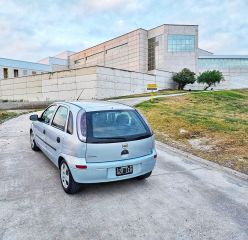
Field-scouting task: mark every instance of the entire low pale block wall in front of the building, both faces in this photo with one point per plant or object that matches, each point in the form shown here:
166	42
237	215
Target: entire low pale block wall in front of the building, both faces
97	82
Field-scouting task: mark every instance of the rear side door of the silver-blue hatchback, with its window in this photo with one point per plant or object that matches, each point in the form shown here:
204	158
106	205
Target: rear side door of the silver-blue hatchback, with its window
56	132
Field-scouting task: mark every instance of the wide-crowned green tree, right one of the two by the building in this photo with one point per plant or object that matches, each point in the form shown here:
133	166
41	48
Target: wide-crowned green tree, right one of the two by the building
211	78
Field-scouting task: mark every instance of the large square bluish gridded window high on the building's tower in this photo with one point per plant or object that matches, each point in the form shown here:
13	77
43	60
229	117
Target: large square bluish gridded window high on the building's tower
181	43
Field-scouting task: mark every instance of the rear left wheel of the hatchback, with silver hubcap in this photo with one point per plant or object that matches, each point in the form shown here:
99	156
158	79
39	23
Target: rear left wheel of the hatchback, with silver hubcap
67	181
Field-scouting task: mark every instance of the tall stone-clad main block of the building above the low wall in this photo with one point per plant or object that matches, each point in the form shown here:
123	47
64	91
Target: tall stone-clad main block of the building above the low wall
167	47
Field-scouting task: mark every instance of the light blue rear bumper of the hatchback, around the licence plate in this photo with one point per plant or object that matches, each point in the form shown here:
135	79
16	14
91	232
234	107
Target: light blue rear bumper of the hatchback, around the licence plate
106	172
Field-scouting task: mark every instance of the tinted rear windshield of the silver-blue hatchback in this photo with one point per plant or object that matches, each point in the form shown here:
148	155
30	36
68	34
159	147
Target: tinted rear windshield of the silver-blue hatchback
116	126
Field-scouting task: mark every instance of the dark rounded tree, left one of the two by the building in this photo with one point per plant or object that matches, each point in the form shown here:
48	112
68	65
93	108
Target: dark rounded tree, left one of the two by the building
183	78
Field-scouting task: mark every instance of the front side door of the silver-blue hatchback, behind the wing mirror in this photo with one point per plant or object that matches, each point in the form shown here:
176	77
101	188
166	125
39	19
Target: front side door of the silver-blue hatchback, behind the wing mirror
40	127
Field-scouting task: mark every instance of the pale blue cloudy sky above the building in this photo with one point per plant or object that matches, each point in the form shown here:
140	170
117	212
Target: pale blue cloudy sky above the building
34	29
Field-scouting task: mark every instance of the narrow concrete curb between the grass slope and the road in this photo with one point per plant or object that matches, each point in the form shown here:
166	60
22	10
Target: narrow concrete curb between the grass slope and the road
201	161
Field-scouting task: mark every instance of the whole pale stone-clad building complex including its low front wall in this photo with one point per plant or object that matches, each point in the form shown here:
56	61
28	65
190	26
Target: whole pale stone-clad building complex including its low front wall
123	66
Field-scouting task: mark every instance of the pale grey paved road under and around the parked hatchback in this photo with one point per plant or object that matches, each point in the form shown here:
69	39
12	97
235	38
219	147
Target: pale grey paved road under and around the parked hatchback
183	199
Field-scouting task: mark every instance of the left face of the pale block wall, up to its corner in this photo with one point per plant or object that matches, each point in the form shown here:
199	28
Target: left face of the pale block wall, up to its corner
51	86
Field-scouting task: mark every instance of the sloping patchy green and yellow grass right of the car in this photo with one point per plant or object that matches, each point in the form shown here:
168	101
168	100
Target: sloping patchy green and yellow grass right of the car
221	117
